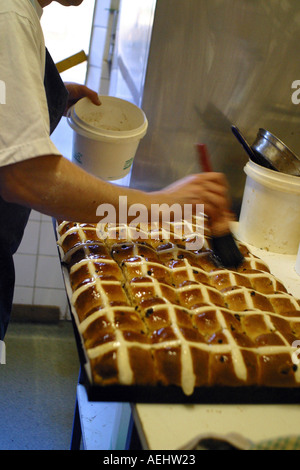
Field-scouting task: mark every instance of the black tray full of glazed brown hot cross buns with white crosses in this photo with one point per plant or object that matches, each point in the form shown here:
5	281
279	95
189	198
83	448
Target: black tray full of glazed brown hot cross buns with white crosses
159	319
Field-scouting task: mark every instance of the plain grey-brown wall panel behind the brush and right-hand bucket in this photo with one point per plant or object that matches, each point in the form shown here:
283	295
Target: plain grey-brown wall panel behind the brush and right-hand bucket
214	63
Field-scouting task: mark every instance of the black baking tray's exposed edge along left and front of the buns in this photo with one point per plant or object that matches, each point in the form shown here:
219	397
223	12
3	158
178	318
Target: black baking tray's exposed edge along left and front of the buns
160	394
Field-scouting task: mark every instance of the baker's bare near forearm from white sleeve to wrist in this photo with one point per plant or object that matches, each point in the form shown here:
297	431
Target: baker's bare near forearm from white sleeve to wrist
56	187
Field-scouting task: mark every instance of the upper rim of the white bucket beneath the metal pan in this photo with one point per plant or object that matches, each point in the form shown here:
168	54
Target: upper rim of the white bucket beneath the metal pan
273	179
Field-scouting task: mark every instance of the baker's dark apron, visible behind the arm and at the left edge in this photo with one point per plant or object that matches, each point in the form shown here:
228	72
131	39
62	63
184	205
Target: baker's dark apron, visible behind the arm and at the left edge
13	217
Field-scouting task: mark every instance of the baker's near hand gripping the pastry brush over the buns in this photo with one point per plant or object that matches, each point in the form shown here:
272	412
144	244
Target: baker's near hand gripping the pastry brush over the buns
210	189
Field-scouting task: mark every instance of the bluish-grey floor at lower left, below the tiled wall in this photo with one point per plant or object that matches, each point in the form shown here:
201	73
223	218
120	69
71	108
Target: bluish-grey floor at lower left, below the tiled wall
38	387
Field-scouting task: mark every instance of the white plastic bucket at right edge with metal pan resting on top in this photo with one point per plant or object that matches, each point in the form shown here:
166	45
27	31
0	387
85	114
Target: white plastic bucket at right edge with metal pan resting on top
270	212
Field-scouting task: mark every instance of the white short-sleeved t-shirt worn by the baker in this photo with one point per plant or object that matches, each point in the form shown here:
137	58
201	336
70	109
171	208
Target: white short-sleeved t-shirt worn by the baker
24	116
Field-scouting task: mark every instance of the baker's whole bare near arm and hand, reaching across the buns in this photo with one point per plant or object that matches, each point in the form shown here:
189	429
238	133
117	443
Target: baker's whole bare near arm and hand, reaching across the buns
53	185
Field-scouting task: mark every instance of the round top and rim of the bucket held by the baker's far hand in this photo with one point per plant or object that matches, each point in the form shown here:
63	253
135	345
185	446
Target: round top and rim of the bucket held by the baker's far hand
114	120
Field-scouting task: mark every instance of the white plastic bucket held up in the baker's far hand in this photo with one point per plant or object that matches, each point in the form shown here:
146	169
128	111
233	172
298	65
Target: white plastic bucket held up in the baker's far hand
106	137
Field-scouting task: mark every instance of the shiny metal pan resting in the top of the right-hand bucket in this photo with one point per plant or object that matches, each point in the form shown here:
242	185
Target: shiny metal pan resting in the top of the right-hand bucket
276	153
